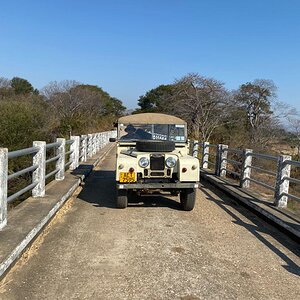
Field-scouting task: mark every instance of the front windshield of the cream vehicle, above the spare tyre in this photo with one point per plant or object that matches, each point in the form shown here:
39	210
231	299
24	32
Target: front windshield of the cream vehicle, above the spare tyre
164	132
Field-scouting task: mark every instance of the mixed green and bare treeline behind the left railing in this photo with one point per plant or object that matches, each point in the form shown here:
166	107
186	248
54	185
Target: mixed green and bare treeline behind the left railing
58	110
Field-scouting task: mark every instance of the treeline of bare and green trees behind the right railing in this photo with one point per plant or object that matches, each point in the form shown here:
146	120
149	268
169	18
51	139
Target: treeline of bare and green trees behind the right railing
249	117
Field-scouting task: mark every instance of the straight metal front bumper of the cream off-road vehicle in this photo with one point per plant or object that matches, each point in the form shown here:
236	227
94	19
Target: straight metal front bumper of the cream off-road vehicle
143	186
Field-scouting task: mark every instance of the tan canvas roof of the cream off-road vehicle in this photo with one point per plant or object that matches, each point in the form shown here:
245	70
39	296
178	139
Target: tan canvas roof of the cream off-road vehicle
151	118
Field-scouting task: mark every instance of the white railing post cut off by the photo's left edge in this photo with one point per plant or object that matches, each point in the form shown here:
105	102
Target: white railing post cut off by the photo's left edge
3	186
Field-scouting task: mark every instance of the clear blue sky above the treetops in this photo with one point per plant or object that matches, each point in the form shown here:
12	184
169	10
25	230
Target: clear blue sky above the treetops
128	47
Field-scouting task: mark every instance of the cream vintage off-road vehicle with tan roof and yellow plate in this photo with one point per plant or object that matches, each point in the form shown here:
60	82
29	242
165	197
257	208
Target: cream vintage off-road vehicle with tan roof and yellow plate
153	158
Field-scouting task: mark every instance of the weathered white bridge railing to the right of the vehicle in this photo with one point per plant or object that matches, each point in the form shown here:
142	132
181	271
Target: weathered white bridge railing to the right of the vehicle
241	165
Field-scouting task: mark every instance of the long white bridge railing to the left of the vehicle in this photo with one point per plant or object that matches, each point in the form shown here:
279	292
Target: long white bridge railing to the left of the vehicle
68	155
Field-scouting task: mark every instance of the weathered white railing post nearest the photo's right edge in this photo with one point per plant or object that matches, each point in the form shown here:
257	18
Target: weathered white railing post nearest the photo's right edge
282	185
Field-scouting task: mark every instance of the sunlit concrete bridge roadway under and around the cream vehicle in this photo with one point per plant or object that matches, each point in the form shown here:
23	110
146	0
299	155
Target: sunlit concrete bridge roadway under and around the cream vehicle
153	250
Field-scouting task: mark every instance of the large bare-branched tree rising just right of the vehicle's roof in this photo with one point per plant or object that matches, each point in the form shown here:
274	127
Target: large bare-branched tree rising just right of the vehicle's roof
201	101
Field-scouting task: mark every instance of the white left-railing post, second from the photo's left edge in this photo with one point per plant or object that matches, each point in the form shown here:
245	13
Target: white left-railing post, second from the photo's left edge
39	174
